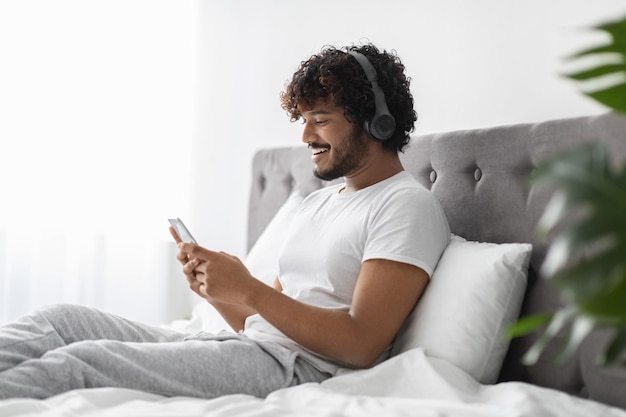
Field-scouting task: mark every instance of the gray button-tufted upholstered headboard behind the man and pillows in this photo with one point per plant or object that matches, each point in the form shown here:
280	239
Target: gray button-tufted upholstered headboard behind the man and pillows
480	177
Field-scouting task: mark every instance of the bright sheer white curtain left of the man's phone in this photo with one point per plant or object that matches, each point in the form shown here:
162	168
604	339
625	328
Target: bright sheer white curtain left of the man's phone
96	130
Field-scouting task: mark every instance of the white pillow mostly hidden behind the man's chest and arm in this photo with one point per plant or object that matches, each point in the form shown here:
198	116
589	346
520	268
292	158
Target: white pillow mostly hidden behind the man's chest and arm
262	259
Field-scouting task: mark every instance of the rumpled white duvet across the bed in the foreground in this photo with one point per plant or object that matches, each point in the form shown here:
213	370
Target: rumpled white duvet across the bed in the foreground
410	384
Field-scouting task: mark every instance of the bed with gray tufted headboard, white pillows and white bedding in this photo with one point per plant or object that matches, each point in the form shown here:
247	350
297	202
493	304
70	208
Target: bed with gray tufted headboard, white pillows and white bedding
451	358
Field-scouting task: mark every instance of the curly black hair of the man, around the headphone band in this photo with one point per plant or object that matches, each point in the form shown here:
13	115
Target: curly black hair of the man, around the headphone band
334	76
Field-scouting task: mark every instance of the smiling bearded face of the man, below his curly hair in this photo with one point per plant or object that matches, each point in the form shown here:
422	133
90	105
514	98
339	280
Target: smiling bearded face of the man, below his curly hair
339	148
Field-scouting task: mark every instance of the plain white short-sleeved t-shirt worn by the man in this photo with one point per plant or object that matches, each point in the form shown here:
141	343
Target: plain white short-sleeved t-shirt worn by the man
333	233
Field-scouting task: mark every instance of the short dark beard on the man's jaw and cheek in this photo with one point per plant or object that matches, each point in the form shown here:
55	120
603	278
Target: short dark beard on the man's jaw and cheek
344	158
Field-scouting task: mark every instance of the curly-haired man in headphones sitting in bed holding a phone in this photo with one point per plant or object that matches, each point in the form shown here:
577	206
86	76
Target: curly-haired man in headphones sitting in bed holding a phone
357	259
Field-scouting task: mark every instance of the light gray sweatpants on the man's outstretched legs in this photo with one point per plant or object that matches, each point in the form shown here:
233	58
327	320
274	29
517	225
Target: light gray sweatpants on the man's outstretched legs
63	347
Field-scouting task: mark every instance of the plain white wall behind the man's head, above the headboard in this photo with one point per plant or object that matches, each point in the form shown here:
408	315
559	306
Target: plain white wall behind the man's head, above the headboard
473	64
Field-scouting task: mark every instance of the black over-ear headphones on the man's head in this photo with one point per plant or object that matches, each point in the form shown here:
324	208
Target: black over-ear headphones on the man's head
382	126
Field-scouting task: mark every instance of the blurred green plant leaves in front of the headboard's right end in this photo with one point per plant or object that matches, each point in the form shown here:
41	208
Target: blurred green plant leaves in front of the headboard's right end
587	261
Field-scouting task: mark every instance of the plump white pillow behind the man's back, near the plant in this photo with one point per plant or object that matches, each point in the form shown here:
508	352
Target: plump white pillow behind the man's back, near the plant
475	293
